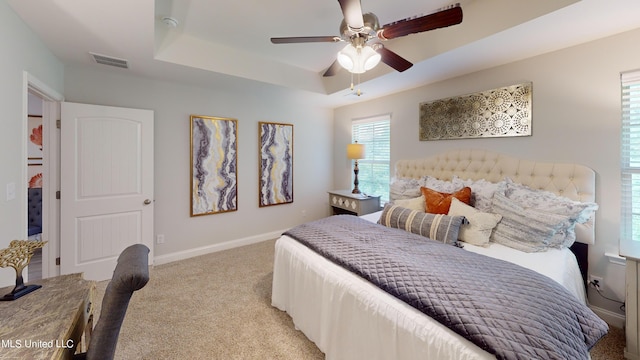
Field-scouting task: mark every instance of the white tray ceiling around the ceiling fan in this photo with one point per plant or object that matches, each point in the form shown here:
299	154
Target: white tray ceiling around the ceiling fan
217	42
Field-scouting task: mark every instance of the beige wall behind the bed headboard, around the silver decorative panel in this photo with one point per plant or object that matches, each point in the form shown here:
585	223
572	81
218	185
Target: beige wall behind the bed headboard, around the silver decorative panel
576	118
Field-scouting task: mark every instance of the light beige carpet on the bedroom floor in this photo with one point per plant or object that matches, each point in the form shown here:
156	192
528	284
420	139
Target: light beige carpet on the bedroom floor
218	306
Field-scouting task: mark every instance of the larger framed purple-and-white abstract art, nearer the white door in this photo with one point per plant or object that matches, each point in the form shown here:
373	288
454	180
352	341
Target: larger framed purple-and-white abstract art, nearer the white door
214	165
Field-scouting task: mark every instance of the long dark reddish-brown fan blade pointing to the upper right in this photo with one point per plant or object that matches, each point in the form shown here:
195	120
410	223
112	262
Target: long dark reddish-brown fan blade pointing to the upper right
440	19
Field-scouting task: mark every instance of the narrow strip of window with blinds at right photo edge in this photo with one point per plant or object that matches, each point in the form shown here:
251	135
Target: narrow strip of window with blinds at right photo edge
630	163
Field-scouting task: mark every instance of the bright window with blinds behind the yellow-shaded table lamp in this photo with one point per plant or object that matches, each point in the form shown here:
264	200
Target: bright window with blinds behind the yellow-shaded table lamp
375	134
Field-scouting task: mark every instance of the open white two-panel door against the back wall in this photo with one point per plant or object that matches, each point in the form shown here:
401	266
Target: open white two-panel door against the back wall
106	185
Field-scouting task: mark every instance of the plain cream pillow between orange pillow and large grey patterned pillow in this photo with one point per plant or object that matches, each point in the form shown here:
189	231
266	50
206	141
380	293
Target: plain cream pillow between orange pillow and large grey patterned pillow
480	224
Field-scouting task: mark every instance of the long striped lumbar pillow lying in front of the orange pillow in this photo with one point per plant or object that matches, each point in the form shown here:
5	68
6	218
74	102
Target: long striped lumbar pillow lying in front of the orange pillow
442	228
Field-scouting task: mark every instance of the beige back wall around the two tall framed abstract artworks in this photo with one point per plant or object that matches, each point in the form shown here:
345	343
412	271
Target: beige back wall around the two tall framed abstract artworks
247	101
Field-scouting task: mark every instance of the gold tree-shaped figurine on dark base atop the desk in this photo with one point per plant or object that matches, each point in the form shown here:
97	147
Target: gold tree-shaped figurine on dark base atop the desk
18	255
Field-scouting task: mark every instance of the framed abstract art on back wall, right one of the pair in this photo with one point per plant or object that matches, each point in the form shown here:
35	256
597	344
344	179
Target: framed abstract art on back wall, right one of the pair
275	163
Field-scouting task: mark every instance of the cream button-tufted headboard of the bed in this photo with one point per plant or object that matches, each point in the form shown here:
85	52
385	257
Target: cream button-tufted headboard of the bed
576	182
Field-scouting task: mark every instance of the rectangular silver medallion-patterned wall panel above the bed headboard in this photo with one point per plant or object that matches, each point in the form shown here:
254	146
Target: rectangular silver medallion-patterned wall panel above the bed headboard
499	112
